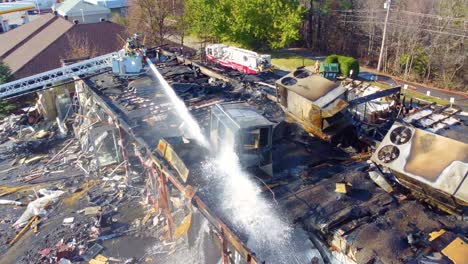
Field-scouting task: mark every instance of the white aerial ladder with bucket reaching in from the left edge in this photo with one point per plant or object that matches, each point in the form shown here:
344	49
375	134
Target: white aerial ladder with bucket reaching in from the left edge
126	62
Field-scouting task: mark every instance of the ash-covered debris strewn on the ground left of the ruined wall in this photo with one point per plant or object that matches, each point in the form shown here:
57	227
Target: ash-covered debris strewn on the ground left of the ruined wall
69	191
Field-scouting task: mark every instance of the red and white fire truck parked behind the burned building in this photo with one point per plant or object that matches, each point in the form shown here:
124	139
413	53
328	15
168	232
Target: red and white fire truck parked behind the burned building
245	61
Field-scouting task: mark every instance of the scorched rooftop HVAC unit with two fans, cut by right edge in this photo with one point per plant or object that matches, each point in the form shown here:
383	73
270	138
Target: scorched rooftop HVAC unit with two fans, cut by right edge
430	165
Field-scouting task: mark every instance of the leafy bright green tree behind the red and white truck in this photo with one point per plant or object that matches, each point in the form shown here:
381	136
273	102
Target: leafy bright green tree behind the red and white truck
250	23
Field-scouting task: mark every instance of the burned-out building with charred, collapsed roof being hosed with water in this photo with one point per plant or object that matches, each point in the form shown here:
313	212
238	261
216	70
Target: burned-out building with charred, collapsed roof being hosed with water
329	197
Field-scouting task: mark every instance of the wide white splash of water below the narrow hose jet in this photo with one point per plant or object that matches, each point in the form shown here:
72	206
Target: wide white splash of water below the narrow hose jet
242	202
